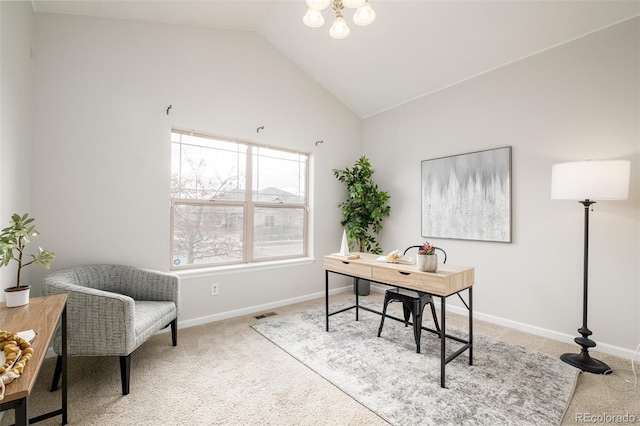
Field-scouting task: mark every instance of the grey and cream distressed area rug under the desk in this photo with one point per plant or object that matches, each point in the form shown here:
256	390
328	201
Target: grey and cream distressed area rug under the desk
507	384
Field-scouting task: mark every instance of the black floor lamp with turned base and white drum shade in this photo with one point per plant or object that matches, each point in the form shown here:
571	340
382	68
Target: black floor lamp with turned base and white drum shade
587	181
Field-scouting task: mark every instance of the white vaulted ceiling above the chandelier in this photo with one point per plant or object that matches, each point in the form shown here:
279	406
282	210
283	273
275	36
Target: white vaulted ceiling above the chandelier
413	48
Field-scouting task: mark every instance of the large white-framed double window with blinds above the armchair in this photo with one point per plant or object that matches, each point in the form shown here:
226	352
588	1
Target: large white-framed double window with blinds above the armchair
235	202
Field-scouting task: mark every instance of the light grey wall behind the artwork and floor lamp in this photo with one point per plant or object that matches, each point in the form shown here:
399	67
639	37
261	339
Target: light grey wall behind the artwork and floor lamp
577	101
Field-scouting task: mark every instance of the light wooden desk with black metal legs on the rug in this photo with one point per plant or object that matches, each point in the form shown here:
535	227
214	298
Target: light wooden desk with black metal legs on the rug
447	281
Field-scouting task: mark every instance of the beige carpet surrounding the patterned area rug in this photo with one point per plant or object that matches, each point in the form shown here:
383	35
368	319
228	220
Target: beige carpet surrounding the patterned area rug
225	373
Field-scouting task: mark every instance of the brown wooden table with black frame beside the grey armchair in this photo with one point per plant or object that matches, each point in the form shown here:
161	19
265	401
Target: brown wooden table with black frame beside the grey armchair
42	315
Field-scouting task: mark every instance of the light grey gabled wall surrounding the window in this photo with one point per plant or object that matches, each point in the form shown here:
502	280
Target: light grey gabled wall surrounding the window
102	145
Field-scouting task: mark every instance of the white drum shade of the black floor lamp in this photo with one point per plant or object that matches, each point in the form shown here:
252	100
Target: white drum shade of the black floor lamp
590	180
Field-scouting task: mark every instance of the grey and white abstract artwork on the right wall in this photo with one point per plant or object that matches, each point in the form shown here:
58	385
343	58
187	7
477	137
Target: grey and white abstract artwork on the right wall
468	196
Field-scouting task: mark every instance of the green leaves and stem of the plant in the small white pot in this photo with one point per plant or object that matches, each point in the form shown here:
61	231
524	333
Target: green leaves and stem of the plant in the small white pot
13	242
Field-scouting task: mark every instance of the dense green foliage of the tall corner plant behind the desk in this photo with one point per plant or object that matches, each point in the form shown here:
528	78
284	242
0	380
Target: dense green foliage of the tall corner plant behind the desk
365	207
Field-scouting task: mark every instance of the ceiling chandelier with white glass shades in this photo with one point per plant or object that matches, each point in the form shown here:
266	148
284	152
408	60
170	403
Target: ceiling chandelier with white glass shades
363	15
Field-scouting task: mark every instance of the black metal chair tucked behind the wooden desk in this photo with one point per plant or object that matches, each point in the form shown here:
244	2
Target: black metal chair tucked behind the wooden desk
413	304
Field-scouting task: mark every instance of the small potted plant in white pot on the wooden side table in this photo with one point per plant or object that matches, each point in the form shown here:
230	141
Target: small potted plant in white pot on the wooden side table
13	242
